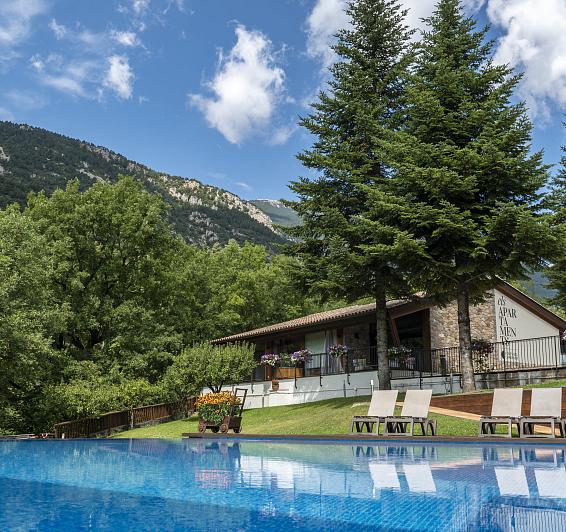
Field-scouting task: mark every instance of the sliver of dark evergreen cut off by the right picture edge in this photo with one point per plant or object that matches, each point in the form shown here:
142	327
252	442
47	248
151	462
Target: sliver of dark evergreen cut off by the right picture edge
557	204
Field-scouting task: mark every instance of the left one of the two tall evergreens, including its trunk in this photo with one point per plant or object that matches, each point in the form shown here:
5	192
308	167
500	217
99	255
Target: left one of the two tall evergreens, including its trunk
349	241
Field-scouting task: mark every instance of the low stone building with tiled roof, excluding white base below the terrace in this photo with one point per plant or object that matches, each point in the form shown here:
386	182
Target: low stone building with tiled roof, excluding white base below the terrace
428	331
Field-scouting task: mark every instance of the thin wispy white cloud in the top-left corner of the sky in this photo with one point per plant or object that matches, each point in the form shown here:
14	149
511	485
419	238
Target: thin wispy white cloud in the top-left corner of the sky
16	18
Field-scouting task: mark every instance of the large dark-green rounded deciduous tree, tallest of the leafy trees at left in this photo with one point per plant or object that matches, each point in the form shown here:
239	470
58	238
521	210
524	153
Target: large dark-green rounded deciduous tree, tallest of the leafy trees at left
114	255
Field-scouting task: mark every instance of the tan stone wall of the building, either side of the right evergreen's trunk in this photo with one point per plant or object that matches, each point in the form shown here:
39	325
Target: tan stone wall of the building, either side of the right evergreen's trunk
444	323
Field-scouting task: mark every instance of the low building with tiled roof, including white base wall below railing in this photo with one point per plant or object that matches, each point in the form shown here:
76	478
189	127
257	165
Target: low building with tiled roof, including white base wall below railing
512	332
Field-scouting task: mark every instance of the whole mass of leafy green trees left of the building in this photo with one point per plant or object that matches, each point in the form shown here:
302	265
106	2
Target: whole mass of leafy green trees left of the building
98	297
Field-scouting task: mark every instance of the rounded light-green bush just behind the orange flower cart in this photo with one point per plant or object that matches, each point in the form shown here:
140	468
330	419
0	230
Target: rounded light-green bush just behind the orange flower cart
207	365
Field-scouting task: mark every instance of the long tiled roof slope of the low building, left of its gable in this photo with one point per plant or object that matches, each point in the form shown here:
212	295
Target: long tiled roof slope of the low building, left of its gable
310	320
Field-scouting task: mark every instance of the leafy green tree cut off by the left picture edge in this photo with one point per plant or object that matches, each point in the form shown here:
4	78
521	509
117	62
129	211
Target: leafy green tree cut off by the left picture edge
28	315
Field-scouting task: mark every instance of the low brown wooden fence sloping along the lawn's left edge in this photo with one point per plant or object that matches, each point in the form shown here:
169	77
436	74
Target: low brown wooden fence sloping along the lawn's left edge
125	419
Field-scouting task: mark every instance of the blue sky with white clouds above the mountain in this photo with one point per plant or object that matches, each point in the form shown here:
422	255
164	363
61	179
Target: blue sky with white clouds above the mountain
213	89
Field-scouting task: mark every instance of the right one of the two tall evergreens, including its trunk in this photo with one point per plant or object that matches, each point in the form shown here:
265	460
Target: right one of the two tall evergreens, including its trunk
465	167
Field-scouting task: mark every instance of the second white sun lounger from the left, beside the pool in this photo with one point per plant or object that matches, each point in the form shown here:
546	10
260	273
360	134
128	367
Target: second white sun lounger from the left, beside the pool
414	412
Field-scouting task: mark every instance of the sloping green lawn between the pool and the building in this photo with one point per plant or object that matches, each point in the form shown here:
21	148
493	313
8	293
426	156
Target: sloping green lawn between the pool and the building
332	416
